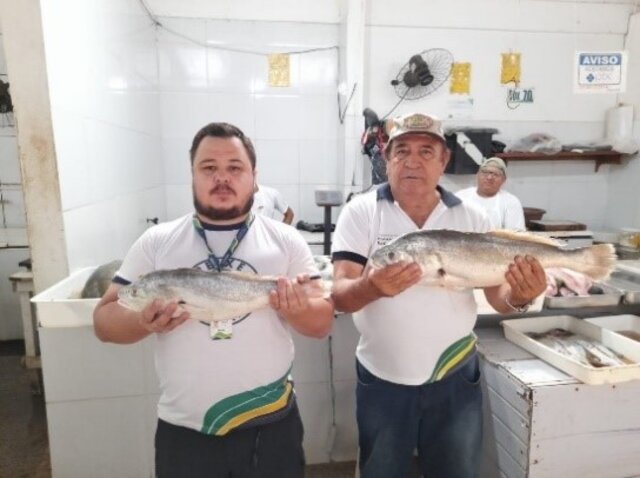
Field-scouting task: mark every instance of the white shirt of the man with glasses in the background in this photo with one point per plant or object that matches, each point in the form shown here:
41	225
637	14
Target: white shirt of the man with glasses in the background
504	209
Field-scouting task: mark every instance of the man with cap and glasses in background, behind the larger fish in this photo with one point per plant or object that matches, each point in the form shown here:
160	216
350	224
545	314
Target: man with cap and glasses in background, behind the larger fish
503	208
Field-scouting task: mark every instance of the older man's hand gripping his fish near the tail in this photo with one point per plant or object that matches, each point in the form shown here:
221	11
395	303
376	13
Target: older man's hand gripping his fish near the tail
527	280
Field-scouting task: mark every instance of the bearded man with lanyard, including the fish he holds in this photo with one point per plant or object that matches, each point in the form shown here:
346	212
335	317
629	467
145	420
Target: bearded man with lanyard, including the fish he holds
223	345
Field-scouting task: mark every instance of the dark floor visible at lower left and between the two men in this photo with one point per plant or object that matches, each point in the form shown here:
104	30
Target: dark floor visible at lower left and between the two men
24	447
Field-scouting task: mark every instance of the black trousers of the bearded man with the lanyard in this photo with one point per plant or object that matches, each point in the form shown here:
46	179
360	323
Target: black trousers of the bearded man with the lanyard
265	451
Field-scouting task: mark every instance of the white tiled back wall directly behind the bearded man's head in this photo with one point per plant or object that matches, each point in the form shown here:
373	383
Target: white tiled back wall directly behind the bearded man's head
294	128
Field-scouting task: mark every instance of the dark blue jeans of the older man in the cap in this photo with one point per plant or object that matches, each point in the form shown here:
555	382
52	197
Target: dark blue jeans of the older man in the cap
443	420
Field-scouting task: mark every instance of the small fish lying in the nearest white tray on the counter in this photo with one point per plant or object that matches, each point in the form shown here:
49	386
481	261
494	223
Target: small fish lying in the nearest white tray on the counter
581	349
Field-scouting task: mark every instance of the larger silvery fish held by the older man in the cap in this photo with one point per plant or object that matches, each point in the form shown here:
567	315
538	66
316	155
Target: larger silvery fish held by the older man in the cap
460	260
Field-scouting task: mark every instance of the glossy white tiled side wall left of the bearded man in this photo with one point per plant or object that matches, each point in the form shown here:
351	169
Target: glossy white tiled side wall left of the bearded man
102	72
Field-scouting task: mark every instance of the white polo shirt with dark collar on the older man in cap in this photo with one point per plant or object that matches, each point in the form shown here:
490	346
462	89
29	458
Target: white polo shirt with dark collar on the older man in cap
424	333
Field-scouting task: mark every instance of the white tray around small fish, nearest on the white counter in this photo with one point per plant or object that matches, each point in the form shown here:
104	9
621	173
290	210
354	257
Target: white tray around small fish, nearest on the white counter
515	331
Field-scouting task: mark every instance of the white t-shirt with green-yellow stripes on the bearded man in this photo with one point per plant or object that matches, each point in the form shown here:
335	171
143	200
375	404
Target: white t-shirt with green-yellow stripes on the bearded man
213	386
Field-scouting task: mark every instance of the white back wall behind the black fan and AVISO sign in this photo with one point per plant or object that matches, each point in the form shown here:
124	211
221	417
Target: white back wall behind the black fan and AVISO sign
547	35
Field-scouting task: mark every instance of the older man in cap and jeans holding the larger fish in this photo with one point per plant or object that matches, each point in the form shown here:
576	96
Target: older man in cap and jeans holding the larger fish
417	367
